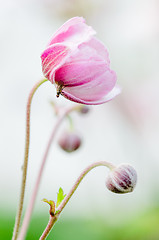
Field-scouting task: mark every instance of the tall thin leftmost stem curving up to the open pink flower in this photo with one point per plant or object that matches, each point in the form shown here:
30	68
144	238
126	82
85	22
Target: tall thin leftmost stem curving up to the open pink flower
25	164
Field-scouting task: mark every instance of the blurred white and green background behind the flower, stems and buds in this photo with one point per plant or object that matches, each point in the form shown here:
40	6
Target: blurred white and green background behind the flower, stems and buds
123	130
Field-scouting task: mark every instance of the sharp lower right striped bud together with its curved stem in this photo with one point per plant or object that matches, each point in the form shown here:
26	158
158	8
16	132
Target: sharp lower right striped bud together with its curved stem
122	179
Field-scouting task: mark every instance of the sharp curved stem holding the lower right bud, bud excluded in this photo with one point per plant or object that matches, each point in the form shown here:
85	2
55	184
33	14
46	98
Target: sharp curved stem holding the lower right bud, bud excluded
71	192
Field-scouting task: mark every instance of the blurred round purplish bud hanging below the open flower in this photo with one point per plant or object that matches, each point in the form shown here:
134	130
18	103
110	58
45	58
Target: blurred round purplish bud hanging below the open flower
69	141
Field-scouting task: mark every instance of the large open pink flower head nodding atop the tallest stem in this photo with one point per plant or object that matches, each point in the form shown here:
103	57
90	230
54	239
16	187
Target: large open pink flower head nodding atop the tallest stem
78	64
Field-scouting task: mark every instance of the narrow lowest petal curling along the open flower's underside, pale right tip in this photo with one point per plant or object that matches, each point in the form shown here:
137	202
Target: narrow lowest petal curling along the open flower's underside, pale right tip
114	92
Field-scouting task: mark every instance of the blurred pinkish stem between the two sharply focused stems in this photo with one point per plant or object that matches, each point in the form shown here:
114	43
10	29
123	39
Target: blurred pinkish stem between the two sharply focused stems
35	190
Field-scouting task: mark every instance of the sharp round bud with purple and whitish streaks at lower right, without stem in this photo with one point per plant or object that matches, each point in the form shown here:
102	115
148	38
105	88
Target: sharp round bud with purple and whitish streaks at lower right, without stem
122	179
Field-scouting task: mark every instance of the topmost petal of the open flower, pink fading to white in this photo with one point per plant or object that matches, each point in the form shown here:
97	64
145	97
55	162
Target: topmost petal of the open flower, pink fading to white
74	32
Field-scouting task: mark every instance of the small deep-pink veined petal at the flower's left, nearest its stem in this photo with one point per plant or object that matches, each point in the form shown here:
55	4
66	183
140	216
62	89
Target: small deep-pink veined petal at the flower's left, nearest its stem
52	58
